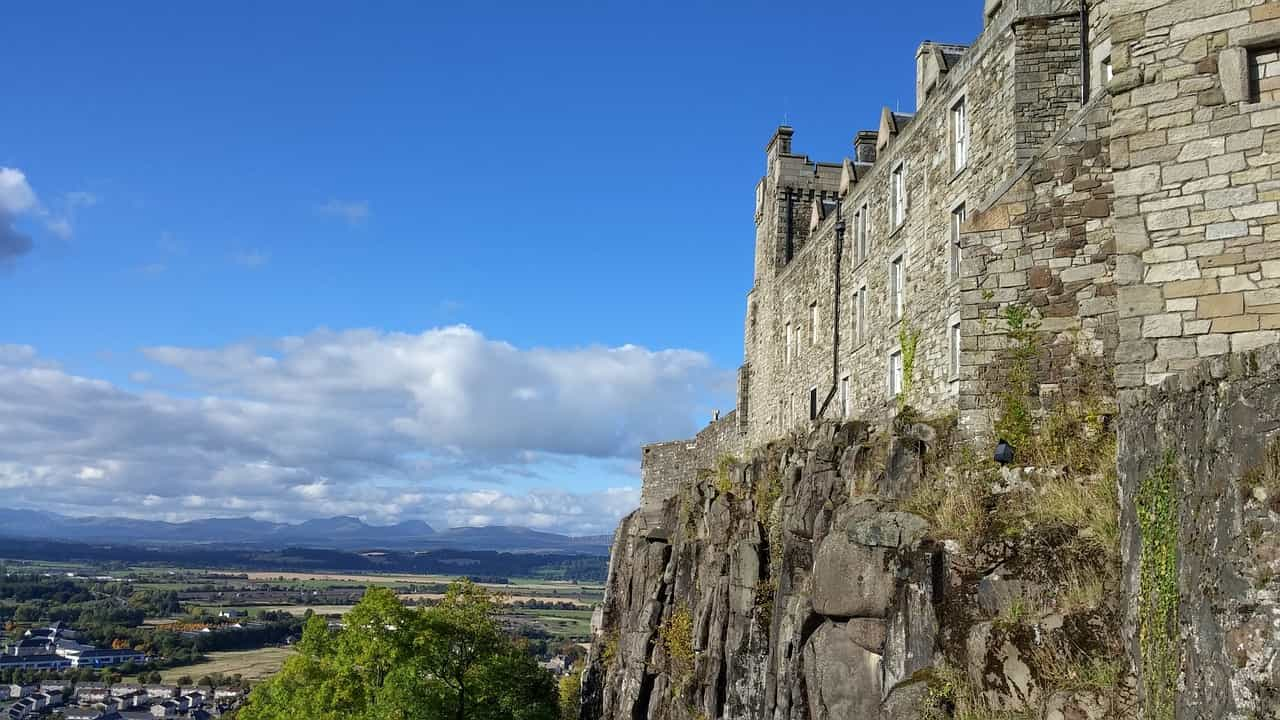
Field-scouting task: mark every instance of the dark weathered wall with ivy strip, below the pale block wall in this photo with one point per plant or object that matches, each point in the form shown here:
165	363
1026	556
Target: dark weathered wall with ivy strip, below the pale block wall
1206	443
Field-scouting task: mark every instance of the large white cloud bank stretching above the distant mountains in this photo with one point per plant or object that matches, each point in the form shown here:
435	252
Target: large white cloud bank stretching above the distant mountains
383	426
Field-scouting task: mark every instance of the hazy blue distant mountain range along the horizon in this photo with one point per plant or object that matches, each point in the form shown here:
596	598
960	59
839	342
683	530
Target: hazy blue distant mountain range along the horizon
337	534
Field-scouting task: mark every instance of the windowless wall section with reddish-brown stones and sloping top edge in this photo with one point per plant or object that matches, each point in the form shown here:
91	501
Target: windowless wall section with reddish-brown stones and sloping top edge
1044	241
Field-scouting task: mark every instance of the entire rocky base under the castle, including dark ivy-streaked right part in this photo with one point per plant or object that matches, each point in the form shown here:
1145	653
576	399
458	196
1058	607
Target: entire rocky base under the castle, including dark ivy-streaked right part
1126	566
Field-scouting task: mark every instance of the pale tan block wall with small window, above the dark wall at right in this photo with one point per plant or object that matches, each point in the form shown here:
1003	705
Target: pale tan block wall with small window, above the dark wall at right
1197	225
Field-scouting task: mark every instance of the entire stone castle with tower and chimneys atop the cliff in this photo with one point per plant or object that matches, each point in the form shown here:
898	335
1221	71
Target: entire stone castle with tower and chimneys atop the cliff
1104	165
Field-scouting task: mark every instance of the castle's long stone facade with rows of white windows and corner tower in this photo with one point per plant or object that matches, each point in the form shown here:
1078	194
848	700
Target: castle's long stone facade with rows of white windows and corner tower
988	79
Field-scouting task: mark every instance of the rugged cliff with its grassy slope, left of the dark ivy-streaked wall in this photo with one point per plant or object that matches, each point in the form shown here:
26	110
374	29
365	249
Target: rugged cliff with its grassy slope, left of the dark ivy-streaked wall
866	572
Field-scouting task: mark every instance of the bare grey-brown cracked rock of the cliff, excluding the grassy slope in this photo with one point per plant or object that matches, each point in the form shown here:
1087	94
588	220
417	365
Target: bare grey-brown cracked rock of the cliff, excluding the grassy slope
808	595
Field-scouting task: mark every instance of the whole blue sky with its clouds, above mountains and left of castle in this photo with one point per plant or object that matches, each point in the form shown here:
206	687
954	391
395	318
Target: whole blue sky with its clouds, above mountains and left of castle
198	184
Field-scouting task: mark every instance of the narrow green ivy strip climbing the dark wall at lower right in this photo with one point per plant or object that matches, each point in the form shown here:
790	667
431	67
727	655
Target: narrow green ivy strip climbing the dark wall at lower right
1158	595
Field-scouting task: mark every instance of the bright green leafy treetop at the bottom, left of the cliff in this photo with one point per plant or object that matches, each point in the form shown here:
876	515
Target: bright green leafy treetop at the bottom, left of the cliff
451	662
